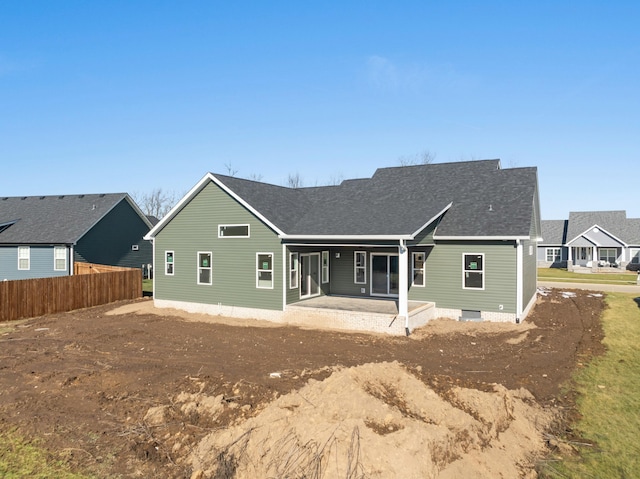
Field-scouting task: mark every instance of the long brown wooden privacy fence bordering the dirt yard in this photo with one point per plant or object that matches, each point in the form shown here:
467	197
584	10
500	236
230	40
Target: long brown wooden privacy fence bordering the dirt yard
27	298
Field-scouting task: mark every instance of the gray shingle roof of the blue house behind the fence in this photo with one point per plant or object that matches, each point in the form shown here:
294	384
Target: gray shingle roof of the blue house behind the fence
59	219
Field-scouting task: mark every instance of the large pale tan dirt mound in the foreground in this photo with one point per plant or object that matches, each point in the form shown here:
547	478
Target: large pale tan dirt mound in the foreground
377	421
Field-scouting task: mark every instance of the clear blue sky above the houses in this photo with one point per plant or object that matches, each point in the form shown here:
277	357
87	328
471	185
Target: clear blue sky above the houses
132	96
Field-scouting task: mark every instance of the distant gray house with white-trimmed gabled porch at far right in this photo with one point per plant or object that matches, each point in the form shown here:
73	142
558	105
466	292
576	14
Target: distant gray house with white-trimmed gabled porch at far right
591	239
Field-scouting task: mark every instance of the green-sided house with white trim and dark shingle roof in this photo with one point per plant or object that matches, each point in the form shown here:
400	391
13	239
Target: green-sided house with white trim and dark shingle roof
459	237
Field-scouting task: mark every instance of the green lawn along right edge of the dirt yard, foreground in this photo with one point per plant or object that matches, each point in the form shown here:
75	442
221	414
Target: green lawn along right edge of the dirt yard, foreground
608	402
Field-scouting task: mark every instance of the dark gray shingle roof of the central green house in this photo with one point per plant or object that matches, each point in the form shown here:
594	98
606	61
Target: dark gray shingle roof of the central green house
486	201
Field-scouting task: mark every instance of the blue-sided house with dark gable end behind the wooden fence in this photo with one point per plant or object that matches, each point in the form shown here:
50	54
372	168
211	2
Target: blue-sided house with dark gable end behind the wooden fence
42	236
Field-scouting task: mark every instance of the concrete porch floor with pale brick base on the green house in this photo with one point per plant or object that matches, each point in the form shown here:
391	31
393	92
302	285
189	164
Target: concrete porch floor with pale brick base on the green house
380	315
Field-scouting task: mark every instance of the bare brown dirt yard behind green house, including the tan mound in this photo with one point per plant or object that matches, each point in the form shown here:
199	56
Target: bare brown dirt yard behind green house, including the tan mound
127	390
